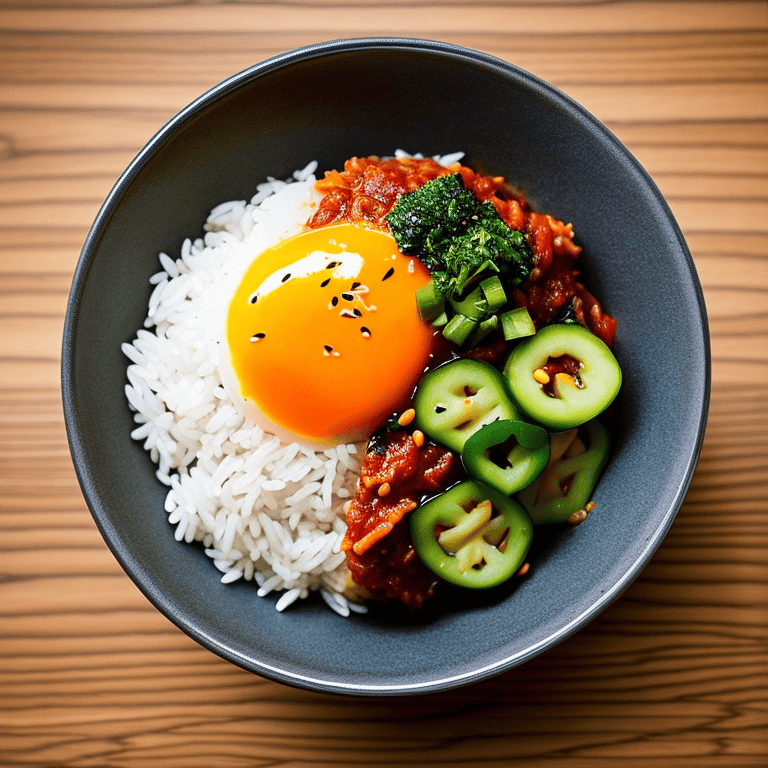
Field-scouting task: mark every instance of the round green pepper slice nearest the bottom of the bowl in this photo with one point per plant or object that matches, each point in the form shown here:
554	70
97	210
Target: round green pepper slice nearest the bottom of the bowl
472	535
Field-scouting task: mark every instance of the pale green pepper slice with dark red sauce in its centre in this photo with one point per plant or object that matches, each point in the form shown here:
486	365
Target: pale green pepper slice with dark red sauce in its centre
563	376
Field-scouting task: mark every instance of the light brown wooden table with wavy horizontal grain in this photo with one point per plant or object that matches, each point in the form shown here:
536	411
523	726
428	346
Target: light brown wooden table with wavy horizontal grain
673	674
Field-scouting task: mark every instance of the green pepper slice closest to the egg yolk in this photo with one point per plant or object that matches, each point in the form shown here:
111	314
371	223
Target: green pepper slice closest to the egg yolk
457	398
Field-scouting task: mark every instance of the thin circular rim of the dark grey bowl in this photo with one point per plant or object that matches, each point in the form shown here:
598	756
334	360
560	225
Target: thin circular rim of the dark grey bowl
72	422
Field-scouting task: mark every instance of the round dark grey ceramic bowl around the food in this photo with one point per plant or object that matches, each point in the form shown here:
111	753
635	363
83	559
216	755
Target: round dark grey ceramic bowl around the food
371	96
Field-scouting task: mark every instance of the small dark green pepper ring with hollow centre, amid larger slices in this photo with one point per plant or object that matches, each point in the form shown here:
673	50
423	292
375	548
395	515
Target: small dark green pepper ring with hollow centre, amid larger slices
488	456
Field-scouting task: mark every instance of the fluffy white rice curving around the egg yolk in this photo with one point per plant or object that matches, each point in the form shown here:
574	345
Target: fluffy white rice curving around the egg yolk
263	510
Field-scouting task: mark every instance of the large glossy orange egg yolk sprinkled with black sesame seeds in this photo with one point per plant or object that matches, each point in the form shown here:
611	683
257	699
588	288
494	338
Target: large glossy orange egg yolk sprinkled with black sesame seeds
324	332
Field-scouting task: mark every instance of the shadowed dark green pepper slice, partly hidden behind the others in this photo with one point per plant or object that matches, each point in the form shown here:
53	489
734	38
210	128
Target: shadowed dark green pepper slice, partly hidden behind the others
566	485
